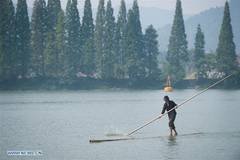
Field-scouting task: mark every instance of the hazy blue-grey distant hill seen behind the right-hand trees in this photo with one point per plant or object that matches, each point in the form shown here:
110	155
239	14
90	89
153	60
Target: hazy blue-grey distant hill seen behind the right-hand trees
210	21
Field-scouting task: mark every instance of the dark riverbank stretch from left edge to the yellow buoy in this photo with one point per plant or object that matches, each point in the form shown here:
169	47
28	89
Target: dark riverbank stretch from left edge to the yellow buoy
80	84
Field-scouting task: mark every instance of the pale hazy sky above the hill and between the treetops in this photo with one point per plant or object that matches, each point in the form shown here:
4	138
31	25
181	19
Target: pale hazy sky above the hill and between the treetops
189	6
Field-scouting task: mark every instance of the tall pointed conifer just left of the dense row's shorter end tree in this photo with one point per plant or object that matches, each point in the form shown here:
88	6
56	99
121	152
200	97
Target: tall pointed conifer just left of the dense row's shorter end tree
135	48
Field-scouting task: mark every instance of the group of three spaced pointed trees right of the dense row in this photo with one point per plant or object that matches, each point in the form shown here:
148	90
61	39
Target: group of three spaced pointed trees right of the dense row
178	56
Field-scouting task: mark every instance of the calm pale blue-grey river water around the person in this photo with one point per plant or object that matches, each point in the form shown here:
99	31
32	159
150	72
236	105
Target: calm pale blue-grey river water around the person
59	124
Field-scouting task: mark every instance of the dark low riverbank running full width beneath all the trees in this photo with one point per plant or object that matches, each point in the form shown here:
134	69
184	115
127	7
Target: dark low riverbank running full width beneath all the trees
90	83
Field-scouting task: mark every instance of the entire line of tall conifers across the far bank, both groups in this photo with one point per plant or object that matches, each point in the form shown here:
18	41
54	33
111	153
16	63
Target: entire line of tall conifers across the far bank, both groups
61	45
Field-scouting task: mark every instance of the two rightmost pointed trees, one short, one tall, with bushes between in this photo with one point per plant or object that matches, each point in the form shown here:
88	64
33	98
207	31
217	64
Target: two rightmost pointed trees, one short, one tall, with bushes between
225	60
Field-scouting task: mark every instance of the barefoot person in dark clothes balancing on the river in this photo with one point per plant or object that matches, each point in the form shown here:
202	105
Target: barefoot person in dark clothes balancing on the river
171	115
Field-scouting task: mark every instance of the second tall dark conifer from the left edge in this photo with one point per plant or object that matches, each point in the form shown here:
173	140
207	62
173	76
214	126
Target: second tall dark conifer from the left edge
22	39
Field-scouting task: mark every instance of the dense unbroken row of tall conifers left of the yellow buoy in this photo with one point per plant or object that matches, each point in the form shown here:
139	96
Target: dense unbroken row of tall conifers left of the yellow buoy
60	44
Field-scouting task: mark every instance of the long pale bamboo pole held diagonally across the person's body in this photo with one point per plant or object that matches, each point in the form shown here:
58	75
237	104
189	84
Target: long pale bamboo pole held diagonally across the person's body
159	117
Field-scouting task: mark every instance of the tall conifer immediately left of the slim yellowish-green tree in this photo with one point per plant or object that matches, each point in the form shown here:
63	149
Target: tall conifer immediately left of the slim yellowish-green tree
51	57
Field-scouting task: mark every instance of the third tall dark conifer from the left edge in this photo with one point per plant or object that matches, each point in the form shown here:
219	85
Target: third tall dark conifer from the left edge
38	37
